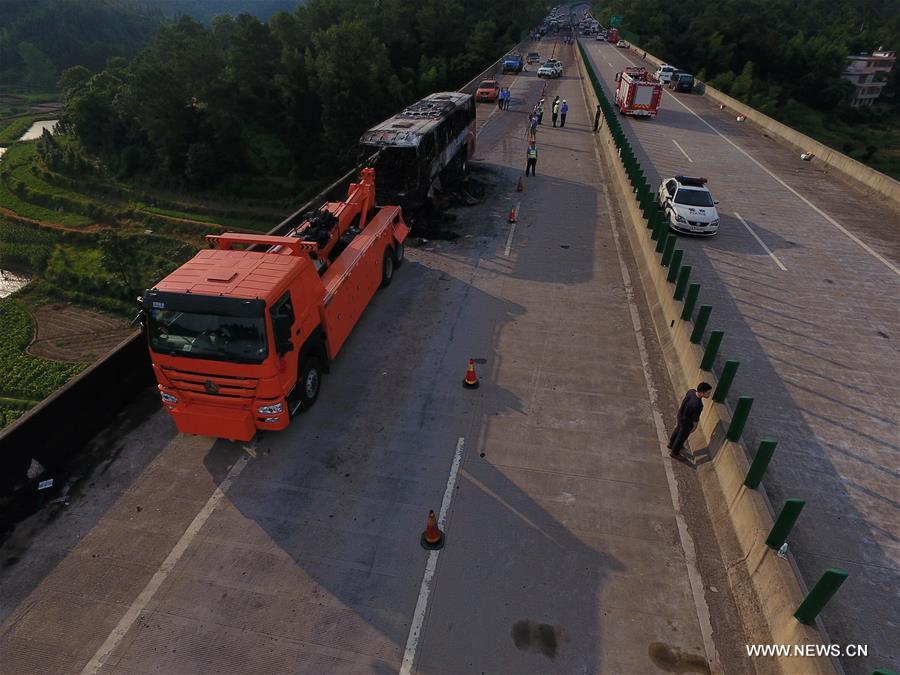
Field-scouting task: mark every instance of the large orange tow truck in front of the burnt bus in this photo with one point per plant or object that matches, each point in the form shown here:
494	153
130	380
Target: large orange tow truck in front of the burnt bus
240	338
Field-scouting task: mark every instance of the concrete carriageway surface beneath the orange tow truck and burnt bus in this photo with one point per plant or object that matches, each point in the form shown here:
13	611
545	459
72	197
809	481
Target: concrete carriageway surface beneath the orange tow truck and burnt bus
573	543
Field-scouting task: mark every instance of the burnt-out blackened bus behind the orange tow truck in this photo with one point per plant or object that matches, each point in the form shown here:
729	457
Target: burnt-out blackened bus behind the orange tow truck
424	149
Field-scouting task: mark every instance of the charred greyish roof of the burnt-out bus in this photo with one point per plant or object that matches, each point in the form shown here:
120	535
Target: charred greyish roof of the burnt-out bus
406	128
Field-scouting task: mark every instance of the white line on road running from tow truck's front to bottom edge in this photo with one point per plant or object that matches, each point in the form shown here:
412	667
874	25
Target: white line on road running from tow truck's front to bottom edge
140	603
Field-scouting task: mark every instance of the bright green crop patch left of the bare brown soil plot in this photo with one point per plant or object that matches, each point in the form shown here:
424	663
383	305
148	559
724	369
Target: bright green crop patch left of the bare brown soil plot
26	379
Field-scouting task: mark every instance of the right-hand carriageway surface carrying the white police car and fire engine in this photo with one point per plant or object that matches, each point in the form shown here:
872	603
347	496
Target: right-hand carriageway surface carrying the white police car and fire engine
803	278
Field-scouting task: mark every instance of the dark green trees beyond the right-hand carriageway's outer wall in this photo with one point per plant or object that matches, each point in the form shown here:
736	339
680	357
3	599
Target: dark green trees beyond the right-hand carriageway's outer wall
784	58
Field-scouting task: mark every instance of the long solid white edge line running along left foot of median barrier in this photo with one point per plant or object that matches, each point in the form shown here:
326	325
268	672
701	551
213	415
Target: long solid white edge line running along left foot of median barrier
687	542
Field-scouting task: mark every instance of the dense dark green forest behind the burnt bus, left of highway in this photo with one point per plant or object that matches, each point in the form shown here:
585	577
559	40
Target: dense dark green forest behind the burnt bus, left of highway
251	107
